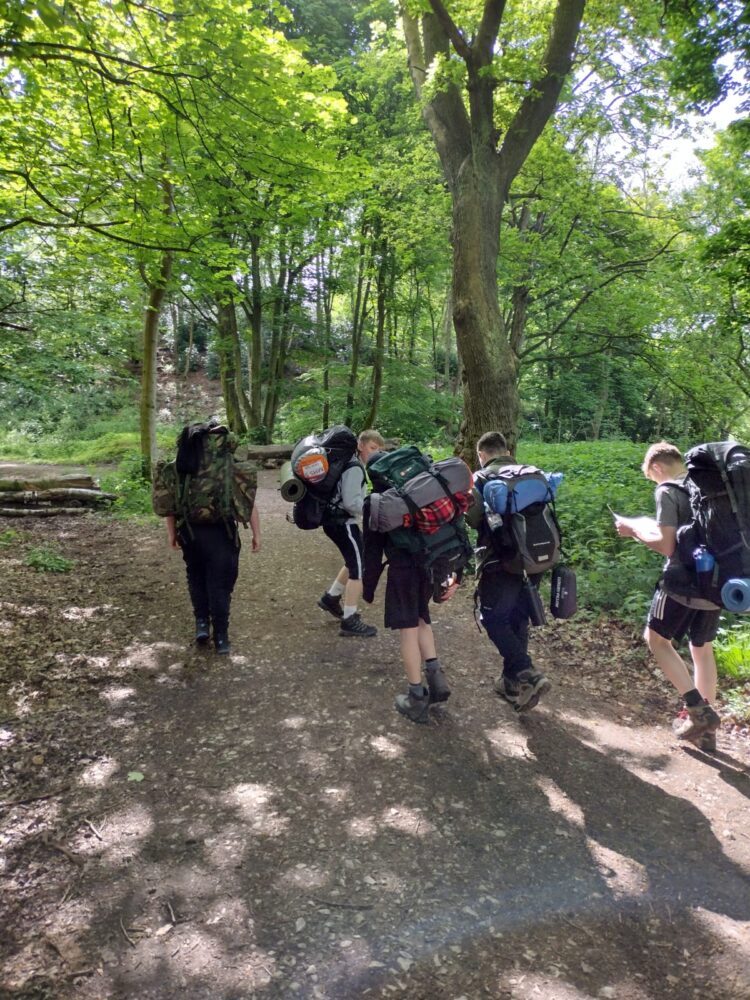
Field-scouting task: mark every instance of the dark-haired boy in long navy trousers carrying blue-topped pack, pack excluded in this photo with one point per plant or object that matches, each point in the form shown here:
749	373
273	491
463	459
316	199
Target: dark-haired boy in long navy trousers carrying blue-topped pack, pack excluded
506	601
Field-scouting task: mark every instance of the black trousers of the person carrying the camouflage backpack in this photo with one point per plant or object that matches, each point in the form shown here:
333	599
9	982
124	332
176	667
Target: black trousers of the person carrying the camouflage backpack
211	553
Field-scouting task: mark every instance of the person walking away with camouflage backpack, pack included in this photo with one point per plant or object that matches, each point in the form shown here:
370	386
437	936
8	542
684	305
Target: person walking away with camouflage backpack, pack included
202	521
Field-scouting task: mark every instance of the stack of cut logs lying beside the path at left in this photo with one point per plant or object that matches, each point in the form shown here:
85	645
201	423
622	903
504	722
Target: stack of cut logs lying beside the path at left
71	494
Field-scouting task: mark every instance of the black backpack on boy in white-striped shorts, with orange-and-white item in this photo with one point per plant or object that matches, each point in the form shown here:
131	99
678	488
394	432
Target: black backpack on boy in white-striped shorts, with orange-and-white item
339	446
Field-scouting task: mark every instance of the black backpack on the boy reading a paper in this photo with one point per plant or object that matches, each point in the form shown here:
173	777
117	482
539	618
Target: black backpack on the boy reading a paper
718	487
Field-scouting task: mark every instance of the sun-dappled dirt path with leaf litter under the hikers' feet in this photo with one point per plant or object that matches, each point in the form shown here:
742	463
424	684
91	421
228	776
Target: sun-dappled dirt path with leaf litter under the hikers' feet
292	836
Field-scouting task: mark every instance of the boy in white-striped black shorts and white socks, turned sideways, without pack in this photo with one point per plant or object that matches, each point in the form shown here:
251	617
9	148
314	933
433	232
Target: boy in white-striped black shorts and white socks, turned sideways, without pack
344	531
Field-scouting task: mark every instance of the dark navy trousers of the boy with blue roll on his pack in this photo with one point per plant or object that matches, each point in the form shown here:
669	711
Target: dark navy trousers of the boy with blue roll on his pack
505	614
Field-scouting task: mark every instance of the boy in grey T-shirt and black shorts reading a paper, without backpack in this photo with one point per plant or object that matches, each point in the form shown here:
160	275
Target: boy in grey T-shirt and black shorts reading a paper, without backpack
672	616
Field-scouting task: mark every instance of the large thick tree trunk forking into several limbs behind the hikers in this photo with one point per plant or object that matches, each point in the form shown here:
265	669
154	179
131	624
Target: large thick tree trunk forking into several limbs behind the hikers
479	172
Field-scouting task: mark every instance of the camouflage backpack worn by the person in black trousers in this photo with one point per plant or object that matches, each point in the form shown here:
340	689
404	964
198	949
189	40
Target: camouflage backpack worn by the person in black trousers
222	487
